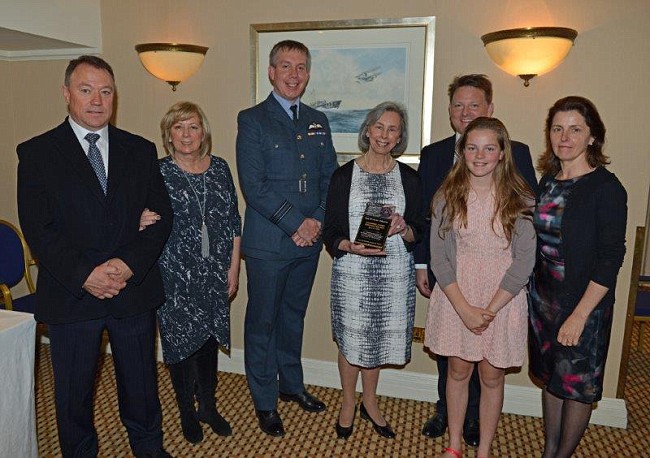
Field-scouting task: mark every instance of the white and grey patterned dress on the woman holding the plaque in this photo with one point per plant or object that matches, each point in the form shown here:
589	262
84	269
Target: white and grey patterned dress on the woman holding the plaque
373	297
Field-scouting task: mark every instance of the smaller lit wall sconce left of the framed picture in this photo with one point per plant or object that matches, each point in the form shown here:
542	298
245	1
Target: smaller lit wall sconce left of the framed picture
171	62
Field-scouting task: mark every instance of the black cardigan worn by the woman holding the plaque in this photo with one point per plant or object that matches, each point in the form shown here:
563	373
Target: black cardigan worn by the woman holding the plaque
337	225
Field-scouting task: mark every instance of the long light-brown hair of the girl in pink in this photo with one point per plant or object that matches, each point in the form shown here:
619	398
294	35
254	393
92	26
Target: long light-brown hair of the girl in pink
513	196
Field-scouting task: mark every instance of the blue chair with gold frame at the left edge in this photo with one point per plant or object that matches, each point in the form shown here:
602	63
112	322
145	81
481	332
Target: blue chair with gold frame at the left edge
15	264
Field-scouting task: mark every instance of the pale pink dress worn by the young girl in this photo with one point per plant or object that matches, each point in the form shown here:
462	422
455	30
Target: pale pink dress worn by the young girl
483	257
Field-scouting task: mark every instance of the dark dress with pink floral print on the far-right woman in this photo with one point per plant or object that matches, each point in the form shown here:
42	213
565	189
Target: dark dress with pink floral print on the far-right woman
568	372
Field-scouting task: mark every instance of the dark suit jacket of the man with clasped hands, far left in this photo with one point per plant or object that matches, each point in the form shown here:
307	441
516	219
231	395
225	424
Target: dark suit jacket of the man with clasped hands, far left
71	226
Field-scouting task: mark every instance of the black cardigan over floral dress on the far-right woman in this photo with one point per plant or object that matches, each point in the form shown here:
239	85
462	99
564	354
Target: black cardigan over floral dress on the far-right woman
593	235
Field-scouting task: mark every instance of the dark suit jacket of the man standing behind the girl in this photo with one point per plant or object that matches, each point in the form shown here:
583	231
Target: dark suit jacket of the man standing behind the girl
435	162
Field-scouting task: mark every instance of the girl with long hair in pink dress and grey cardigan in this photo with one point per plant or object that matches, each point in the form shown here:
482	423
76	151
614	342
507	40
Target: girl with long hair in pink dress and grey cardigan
482	253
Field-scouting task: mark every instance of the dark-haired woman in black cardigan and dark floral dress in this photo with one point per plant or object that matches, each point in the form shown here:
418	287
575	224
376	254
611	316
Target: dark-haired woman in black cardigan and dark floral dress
580	221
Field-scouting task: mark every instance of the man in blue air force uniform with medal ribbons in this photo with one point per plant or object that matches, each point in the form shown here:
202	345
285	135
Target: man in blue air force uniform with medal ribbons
285	158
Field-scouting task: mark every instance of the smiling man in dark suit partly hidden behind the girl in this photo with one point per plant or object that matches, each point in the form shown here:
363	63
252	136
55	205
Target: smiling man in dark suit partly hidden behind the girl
470	97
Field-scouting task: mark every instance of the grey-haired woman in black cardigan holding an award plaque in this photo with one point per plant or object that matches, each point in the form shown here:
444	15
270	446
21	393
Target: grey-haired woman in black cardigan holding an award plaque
372	222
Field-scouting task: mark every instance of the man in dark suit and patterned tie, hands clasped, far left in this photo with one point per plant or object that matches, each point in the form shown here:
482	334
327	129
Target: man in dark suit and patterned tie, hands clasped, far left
81	189
